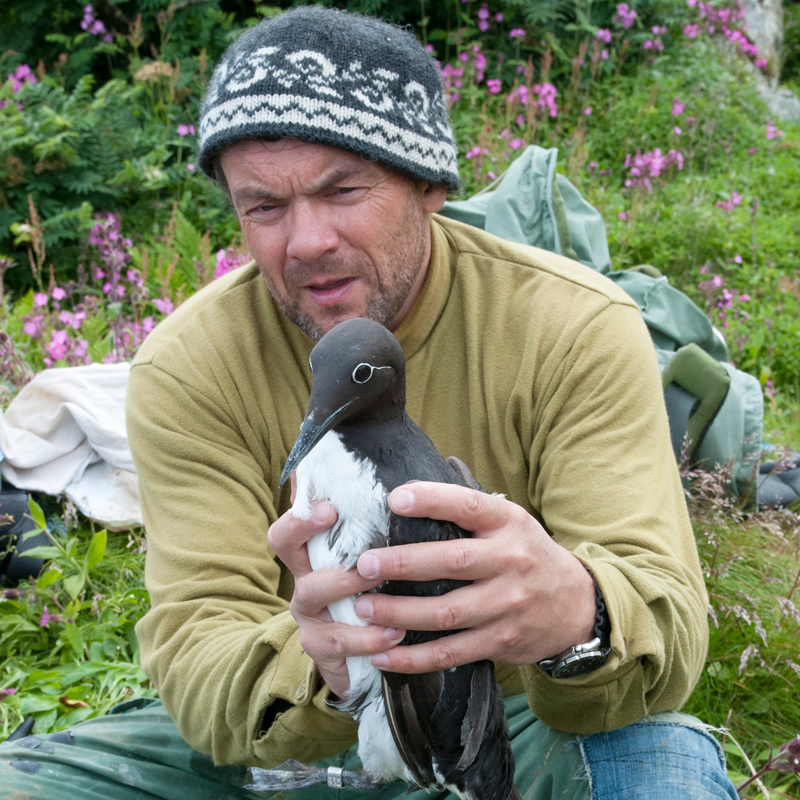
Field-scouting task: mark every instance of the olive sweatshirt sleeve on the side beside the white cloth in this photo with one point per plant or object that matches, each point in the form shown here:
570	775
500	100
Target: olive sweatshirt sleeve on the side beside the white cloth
219	642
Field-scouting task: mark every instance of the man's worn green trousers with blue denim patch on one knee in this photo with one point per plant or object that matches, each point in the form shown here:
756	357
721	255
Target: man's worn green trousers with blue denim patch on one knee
135	753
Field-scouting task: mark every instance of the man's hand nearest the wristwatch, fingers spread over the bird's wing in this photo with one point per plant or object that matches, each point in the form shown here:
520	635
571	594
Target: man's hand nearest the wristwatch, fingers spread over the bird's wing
530	598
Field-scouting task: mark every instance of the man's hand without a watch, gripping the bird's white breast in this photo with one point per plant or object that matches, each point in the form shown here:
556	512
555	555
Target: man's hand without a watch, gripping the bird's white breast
327	642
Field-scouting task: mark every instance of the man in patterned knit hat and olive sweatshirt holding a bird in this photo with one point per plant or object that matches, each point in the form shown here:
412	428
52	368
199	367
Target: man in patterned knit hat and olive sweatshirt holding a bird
329	132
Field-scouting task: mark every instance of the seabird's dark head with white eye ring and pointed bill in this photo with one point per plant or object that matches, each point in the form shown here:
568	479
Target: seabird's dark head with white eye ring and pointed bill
358	369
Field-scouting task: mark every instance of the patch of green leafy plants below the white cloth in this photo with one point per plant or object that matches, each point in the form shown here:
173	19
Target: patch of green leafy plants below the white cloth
67	639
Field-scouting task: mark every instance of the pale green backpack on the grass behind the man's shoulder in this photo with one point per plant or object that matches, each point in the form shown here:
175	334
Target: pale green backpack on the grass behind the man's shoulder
715	410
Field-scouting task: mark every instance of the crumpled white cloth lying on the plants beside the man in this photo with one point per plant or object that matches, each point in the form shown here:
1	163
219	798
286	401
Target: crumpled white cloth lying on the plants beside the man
64	433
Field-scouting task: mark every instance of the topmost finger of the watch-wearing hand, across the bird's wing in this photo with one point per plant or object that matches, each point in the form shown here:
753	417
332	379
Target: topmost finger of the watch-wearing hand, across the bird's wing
468	508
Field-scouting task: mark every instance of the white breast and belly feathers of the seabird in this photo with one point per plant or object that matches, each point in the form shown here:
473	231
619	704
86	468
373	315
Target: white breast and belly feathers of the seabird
330	472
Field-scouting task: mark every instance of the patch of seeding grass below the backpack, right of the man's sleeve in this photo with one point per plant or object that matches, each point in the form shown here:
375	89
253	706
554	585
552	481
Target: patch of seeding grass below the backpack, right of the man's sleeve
752	564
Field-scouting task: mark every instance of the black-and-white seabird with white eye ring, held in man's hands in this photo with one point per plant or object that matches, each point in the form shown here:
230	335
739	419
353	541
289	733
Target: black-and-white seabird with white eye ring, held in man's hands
356	444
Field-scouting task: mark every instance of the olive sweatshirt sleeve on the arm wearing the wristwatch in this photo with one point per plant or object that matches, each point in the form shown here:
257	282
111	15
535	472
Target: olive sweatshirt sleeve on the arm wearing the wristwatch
608	489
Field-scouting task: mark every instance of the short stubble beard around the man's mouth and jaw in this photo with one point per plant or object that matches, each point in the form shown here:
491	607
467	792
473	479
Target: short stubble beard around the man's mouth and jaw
387	293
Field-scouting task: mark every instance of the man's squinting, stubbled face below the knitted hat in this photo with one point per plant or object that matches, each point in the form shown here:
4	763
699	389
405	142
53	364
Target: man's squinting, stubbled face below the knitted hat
335	236
